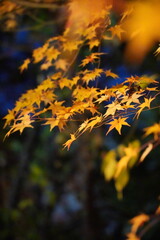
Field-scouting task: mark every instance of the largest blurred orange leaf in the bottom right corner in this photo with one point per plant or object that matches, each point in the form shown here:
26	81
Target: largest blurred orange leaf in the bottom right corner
138	221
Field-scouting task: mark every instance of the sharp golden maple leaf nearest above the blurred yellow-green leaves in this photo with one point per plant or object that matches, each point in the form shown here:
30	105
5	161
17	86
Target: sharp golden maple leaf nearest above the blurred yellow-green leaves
117	124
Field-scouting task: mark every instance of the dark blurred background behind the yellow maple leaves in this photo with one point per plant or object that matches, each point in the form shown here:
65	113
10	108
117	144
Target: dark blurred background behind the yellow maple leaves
46	192
